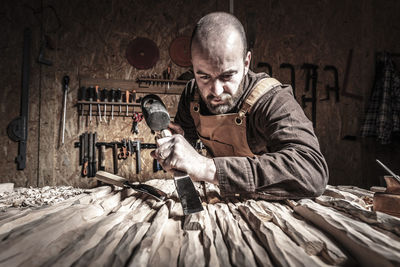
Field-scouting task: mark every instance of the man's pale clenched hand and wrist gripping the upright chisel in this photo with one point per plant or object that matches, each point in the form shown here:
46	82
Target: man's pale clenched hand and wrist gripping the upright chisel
175	153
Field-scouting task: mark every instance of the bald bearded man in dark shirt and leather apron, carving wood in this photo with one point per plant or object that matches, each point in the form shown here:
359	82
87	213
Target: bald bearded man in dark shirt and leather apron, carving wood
260	141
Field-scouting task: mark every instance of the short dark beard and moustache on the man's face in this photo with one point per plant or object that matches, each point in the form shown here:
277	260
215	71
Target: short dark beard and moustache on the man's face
229	100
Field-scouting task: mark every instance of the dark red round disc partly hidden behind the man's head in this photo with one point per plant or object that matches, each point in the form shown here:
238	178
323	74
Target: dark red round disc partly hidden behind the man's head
179	51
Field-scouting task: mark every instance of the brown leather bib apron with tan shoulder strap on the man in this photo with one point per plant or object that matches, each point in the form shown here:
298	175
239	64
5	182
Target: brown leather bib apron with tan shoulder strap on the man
225	134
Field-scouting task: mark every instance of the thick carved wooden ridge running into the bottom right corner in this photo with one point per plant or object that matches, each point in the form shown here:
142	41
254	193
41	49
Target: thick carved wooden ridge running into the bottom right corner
367	245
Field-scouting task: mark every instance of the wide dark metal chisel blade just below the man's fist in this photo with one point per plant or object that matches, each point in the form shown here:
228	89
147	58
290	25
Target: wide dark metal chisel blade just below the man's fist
187	193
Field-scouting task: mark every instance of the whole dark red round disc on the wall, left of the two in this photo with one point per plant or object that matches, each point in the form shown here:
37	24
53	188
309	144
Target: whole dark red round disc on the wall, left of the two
142	53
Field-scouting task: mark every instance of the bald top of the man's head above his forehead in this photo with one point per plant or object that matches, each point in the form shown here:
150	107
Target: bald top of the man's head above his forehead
215	30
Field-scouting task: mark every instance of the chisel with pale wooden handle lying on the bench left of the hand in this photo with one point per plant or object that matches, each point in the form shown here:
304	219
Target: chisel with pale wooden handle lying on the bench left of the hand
109	178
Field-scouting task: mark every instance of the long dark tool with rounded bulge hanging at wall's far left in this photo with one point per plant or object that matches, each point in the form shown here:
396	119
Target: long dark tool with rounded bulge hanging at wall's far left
17	129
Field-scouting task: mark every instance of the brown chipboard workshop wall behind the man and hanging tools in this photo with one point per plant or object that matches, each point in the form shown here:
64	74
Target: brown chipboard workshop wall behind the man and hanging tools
89	39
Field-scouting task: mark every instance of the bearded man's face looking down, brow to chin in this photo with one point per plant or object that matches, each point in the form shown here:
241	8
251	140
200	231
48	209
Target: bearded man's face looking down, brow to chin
220	74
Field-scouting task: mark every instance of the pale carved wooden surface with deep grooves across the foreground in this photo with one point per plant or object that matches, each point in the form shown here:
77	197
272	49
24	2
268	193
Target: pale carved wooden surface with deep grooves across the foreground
108	226
